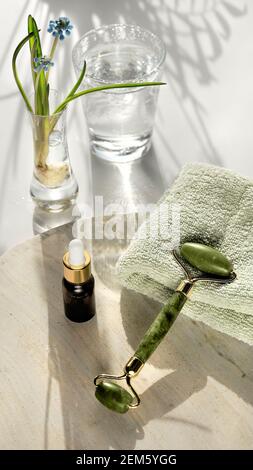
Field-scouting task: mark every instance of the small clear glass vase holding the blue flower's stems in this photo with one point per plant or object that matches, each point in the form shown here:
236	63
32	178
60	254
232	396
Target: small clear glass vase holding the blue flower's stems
53	185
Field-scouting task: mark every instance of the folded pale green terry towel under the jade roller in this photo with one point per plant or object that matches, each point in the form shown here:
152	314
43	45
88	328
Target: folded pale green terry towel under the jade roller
216	209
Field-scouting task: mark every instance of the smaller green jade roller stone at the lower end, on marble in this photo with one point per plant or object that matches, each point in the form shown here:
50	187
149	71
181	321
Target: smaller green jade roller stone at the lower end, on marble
113	396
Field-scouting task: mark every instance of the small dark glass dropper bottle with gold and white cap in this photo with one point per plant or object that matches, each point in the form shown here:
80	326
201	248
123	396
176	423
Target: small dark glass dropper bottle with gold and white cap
78	284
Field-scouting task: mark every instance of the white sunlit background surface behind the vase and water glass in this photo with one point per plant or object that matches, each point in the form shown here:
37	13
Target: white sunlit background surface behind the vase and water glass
205	113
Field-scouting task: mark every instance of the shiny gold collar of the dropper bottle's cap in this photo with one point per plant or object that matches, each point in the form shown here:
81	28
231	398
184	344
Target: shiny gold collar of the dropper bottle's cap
77	274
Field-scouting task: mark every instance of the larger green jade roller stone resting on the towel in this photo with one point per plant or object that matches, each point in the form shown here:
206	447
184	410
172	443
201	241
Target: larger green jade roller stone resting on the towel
206	259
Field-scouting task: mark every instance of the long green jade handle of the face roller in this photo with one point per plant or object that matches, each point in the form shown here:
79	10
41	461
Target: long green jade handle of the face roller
160	326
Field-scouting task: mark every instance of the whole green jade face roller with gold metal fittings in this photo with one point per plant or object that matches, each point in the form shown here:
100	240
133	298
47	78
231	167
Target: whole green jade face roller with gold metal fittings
215	267
